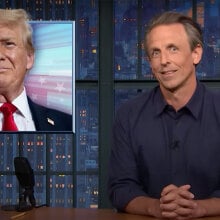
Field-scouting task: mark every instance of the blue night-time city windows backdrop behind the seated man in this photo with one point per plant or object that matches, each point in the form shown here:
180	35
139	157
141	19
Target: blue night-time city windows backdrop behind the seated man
62	168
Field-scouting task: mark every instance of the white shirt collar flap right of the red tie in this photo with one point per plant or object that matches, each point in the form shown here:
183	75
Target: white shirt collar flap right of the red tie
21	103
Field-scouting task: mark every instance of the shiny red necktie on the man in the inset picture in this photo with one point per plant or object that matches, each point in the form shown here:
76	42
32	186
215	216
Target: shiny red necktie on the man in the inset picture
8	122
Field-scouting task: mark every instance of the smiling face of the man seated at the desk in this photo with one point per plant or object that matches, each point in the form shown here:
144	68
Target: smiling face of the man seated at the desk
170	56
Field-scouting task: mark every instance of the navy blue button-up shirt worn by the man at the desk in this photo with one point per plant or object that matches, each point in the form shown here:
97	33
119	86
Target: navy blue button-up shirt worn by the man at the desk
154	146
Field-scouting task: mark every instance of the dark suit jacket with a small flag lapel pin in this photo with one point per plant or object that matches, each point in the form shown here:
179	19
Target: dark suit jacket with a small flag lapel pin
46	119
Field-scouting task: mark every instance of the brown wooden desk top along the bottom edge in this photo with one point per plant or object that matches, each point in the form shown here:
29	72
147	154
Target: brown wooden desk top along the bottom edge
47	213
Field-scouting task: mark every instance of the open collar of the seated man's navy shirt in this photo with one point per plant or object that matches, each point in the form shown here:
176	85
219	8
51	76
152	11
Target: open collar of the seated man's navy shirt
194	104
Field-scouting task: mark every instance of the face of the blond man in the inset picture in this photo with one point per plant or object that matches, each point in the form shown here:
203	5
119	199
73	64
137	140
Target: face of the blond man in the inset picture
14	60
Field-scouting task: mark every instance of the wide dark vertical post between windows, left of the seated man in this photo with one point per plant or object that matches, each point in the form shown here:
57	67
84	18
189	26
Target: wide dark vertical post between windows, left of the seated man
105	94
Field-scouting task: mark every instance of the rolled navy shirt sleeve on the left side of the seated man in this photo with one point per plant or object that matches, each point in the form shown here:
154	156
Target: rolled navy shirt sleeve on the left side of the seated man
124	183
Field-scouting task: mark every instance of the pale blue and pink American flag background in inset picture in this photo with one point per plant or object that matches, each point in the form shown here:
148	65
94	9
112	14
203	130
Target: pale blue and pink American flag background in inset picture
51	81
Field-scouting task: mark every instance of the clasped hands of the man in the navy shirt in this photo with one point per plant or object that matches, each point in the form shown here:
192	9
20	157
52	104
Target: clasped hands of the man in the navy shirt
177	203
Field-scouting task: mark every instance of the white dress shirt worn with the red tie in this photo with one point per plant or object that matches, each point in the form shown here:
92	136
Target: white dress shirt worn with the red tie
22	115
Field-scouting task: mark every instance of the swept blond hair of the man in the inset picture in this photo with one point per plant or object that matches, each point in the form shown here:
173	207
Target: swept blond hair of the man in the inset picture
19	17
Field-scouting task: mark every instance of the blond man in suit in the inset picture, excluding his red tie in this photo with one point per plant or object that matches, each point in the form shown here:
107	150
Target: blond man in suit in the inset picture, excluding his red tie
16	58
